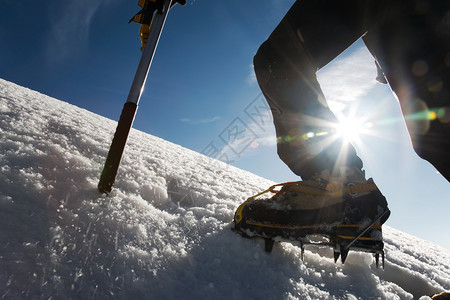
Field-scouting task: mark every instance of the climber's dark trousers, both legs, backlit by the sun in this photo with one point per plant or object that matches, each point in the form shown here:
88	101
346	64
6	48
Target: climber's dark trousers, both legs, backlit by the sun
409	40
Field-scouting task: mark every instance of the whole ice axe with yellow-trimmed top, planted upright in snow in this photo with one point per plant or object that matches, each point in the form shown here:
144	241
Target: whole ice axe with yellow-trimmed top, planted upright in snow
152	18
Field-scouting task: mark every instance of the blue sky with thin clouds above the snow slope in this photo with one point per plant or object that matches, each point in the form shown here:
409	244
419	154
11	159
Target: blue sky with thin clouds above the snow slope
201	89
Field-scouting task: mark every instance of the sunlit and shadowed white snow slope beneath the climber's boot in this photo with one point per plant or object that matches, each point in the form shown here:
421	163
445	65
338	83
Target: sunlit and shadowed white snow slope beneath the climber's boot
164	231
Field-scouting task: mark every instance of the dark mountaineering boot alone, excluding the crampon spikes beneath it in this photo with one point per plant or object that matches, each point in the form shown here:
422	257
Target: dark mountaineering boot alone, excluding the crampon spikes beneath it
323	200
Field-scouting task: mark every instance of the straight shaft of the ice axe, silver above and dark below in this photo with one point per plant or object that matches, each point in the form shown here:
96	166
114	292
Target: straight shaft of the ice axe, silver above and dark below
125	123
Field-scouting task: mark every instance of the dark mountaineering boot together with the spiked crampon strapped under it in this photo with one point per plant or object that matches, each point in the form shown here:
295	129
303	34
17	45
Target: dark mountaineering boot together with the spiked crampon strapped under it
342	206
